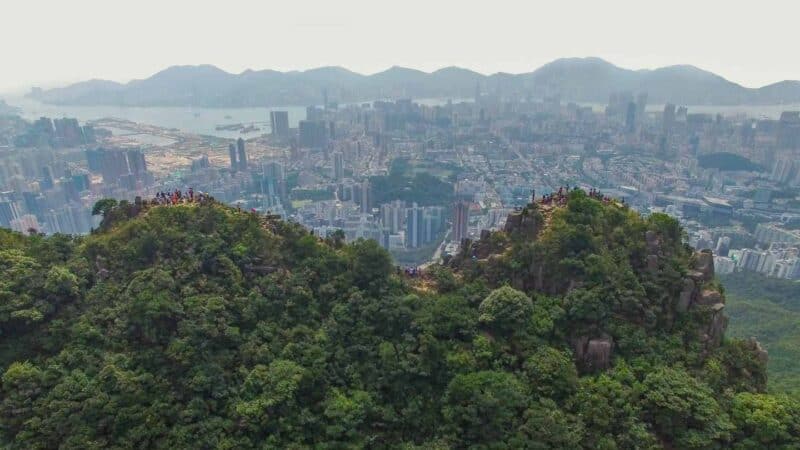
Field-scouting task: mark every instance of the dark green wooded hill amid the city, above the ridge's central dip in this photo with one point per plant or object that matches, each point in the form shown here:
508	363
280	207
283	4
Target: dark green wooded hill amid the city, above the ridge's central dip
422	187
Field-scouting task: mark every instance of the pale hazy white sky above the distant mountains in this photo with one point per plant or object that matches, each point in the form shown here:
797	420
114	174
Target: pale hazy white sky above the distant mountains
57	41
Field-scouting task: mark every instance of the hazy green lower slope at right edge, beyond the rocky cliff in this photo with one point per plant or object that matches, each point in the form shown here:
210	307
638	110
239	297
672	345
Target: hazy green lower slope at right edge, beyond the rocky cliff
769	310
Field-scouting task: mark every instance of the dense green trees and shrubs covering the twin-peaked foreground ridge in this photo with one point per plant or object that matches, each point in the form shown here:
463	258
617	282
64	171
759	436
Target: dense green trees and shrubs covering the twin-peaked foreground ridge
204	327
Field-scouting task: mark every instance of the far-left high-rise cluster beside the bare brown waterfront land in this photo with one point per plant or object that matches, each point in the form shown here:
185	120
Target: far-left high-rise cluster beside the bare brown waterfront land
54	172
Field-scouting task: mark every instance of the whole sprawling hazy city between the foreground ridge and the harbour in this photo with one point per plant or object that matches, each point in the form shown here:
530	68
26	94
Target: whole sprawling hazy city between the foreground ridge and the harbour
730	179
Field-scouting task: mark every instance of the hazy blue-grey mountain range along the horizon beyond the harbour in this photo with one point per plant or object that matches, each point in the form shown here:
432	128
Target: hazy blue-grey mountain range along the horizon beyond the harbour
575	79
